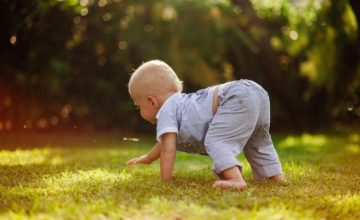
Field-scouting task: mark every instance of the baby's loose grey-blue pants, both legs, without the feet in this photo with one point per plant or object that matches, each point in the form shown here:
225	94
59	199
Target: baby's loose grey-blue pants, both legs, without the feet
242	123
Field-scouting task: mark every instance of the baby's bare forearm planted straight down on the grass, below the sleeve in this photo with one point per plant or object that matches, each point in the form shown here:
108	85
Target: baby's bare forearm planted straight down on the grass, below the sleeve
167	155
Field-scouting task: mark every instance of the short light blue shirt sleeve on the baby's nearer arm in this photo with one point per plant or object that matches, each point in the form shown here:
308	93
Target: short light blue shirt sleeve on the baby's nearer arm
166	122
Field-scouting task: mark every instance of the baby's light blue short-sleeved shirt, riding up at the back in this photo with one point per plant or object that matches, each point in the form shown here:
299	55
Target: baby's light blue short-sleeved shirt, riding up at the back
189	116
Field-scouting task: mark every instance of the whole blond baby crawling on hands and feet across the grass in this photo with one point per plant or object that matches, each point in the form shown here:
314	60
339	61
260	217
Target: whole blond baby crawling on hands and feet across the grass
220	121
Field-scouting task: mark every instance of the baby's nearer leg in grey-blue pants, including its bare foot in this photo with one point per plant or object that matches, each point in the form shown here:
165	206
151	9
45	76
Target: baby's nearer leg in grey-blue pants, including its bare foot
228	132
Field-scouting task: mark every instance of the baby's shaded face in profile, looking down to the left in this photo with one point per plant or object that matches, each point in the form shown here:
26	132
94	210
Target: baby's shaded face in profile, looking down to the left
147	110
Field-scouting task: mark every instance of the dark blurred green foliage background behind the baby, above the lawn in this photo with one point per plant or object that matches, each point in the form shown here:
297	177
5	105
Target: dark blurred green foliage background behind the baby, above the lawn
67	63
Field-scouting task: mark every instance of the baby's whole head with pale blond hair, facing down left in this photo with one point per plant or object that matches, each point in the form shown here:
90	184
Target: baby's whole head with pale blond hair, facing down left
150	85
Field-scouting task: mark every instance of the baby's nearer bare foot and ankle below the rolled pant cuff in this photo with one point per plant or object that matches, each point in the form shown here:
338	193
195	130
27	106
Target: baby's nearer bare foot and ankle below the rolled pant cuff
232	179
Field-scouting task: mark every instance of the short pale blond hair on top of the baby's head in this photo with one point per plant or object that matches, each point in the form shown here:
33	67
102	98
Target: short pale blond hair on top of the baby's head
154	77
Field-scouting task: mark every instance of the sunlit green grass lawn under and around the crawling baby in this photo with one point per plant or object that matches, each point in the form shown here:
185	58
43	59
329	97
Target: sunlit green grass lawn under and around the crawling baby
70	177
